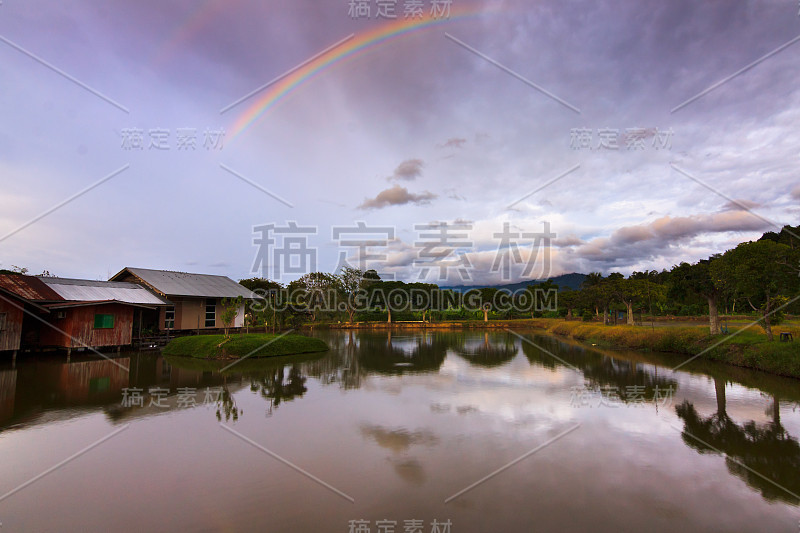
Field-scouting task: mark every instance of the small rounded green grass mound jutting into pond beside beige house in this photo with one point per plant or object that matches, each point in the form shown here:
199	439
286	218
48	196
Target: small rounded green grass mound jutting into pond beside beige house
245	344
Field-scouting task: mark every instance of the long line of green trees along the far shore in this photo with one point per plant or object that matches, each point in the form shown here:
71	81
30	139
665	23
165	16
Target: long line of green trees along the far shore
760	277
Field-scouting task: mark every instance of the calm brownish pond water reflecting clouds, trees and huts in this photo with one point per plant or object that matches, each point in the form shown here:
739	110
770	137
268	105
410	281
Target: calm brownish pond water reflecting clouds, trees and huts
401	431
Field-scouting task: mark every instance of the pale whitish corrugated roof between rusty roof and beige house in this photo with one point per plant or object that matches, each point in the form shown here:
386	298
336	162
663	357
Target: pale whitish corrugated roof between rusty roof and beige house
82	290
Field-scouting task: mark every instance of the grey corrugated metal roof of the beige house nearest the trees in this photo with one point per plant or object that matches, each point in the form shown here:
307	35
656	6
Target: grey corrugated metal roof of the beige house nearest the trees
186	284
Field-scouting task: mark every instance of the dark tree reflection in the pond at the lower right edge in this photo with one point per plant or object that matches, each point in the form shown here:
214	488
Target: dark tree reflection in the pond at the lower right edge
764	456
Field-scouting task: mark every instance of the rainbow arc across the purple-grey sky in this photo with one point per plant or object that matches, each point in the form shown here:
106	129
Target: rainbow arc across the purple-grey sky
354	47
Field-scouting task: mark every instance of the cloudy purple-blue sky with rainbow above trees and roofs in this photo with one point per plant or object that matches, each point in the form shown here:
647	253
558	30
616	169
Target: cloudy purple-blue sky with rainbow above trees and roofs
583	117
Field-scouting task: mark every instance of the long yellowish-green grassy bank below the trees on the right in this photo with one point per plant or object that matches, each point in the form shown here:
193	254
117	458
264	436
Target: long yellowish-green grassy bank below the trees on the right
749	348
